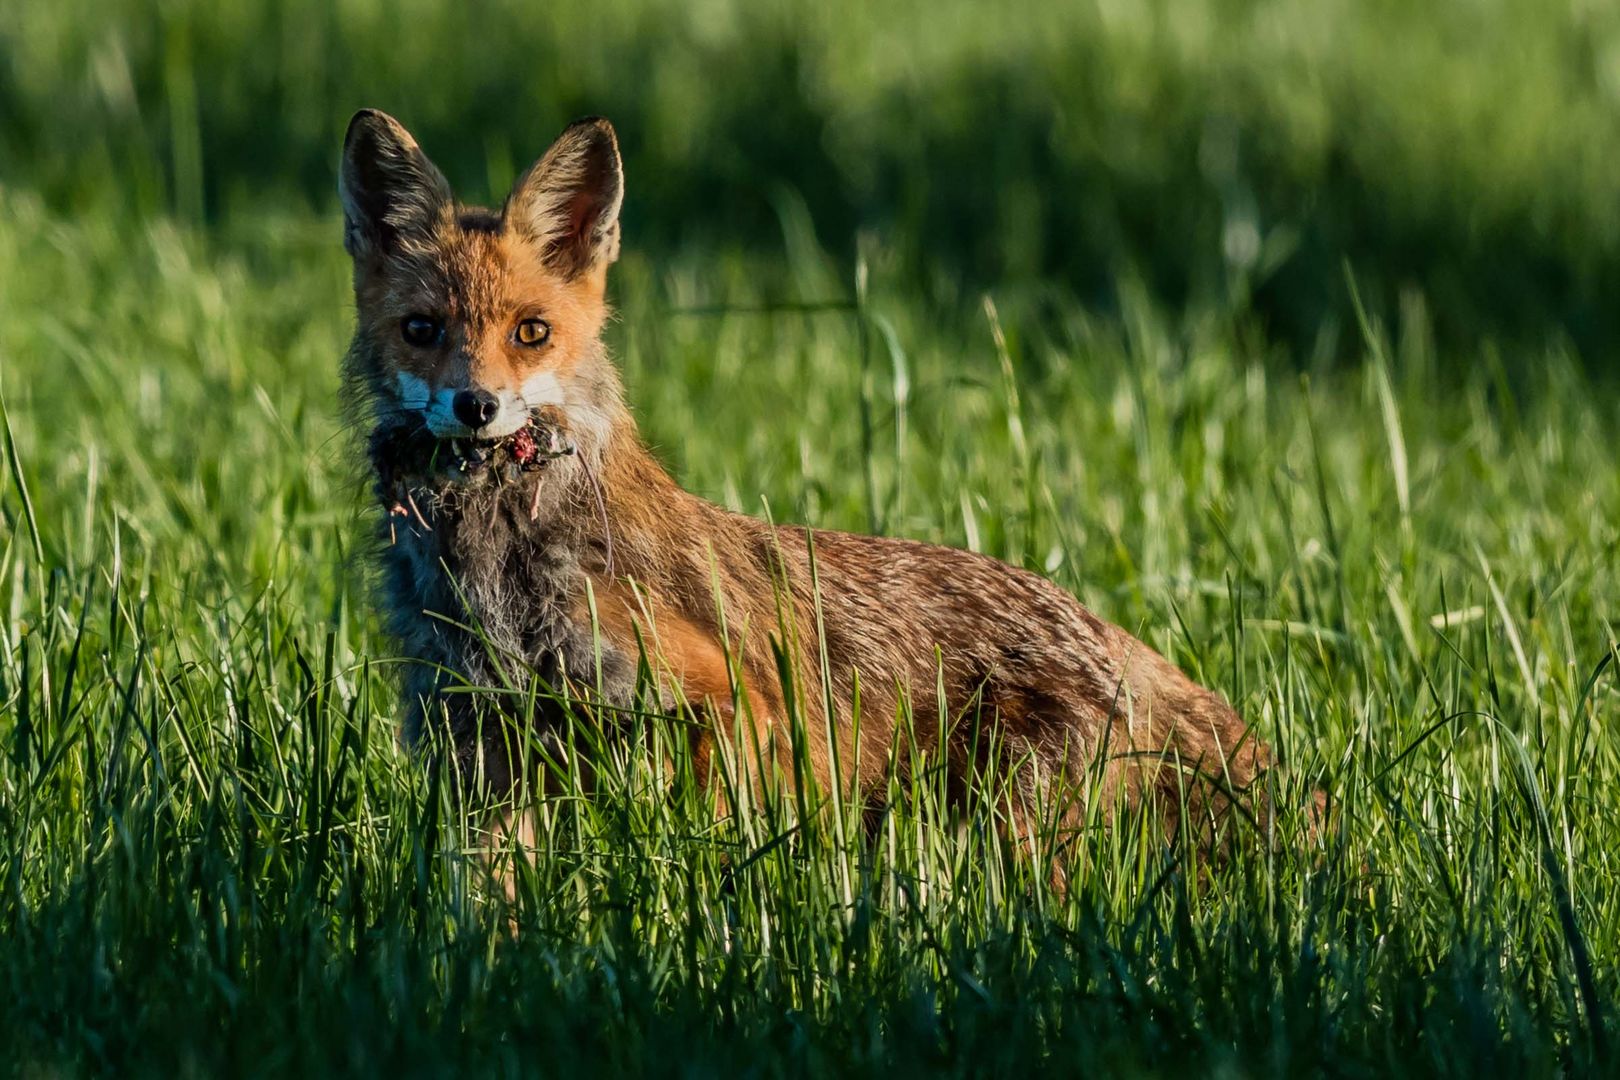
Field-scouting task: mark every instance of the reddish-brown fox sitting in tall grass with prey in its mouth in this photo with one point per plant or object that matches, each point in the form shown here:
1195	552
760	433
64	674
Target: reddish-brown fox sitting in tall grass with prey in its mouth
526	525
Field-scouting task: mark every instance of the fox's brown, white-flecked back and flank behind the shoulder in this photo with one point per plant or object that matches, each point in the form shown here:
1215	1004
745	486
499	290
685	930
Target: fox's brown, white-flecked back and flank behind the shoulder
953	640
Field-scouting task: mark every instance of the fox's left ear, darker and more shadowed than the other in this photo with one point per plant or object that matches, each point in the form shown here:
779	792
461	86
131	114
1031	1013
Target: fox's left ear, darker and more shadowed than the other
388	185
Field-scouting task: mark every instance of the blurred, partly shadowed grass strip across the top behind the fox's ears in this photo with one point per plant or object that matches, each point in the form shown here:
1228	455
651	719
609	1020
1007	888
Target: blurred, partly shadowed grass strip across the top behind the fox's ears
1229	153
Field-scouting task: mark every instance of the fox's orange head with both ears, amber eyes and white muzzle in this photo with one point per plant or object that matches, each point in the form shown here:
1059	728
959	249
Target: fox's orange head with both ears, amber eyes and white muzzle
472	318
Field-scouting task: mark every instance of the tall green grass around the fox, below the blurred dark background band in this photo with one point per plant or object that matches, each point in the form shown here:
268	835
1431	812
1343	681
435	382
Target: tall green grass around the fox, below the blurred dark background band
216	857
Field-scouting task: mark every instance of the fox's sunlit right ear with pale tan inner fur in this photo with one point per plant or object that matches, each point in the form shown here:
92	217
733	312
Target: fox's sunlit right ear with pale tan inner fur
568	205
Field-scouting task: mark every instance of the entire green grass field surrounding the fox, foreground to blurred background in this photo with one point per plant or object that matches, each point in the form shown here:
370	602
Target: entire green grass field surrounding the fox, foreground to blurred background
1078	291
